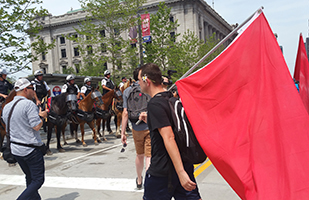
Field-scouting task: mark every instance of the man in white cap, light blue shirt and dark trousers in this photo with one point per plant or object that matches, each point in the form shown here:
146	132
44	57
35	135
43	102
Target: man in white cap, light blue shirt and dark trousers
24	128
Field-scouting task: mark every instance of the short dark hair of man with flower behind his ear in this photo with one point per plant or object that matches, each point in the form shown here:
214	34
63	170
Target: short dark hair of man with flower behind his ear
153	73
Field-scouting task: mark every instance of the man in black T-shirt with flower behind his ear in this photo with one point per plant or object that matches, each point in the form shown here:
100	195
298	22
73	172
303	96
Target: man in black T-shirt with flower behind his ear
167	176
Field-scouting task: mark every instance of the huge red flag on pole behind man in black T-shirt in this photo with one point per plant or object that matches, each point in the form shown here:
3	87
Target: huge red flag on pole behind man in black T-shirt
249	118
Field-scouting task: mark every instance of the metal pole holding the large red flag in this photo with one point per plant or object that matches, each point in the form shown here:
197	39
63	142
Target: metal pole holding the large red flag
216	47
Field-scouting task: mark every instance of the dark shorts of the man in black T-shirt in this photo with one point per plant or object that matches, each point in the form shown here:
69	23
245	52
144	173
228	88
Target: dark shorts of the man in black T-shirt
156	188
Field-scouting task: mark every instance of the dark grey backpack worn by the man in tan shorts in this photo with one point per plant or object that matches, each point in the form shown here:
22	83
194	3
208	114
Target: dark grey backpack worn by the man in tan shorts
137	103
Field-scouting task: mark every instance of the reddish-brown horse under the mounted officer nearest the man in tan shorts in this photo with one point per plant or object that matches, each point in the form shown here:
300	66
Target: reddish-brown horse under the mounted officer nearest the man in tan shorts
107	101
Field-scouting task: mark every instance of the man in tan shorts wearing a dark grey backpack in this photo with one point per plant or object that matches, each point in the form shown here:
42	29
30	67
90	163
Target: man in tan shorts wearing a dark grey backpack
134	102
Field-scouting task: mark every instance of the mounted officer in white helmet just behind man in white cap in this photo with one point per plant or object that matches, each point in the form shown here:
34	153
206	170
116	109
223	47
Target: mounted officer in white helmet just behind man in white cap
40	87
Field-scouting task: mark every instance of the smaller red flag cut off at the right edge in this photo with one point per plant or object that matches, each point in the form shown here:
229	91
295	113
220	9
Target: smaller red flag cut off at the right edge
301	72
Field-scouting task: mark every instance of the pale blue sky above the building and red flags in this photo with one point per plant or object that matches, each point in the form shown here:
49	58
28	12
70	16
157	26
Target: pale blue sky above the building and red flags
287	18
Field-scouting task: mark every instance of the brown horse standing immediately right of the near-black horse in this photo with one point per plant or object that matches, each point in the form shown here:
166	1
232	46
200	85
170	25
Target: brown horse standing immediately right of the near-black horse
85	114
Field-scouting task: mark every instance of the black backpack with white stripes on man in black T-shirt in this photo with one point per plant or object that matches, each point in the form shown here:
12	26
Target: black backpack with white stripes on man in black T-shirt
189	148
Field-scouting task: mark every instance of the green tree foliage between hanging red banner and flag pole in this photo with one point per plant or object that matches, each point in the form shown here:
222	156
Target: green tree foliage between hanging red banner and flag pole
180	55
